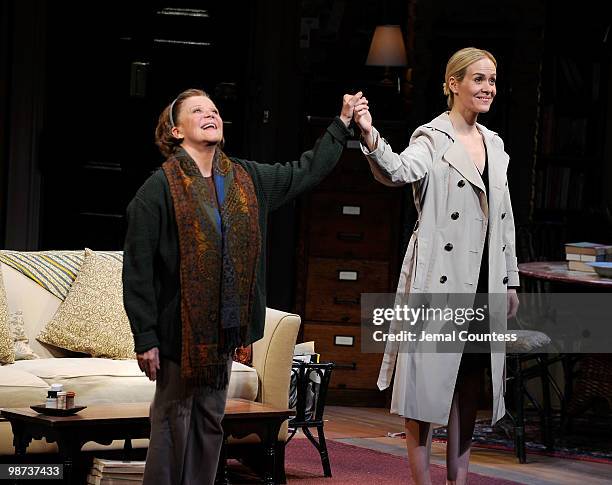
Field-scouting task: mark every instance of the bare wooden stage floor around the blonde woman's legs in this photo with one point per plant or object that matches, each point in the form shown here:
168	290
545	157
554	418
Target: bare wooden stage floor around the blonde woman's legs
369	427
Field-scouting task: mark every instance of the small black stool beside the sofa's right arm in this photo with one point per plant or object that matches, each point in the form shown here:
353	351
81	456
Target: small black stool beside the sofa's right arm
308	391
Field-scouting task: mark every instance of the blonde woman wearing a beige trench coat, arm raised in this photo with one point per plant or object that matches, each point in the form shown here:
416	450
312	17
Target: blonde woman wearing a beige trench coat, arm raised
463	243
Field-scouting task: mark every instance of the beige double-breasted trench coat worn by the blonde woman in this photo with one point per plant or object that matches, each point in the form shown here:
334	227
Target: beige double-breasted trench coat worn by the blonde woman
453	208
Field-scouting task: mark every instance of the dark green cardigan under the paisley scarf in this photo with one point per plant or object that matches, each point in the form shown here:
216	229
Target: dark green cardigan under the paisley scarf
151	269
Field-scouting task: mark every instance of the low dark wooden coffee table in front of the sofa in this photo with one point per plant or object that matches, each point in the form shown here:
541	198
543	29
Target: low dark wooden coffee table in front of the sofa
105	423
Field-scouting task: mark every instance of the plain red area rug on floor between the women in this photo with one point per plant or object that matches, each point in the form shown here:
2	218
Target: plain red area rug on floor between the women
350	465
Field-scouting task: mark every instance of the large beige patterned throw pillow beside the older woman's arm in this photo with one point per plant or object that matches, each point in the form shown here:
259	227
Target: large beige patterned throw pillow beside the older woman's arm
92	319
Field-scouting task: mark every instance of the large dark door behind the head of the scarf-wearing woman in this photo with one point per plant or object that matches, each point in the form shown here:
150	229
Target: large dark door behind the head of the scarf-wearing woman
111	68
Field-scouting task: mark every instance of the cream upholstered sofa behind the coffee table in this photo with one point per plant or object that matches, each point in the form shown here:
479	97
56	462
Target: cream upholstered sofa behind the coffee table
96	381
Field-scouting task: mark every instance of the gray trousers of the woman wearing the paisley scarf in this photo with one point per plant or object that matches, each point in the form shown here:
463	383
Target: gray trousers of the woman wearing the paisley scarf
186	432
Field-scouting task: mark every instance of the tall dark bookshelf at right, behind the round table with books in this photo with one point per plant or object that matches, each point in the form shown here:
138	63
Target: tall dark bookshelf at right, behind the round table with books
573	111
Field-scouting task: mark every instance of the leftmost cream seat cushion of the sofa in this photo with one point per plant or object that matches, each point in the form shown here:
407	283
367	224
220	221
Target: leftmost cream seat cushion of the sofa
19	388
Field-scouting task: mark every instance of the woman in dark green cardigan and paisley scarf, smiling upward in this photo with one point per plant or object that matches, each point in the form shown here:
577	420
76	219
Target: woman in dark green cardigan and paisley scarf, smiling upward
194	273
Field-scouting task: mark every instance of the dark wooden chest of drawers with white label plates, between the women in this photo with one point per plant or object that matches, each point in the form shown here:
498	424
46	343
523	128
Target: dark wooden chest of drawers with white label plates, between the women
349	244
